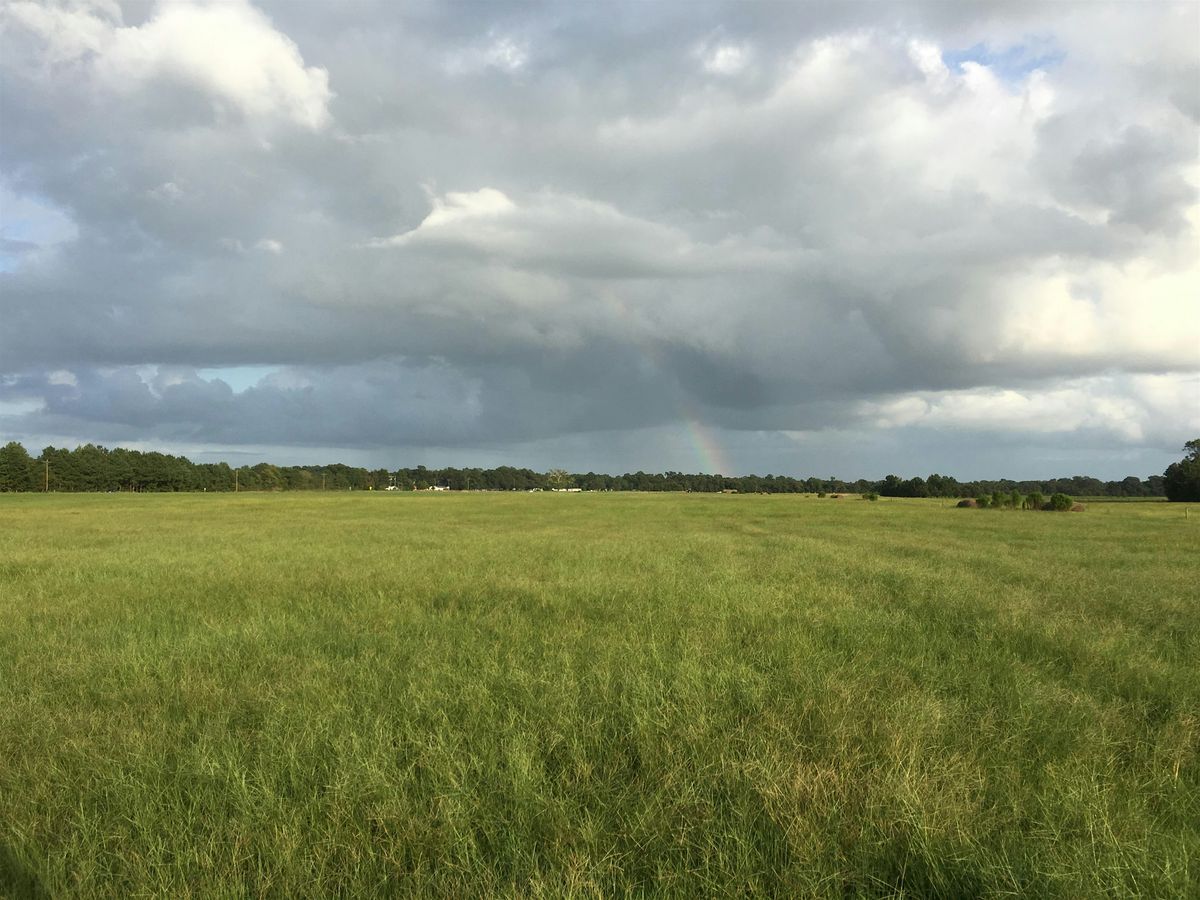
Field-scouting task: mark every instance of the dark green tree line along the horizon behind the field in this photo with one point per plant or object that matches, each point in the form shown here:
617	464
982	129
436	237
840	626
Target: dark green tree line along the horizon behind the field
97	469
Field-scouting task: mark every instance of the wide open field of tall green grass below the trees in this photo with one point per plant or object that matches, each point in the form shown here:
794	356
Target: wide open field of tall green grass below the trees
596	695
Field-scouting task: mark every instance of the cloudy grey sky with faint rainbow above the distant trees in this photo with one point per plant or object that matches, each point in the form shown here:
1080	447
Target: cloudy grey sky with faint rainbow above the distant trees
829	239
